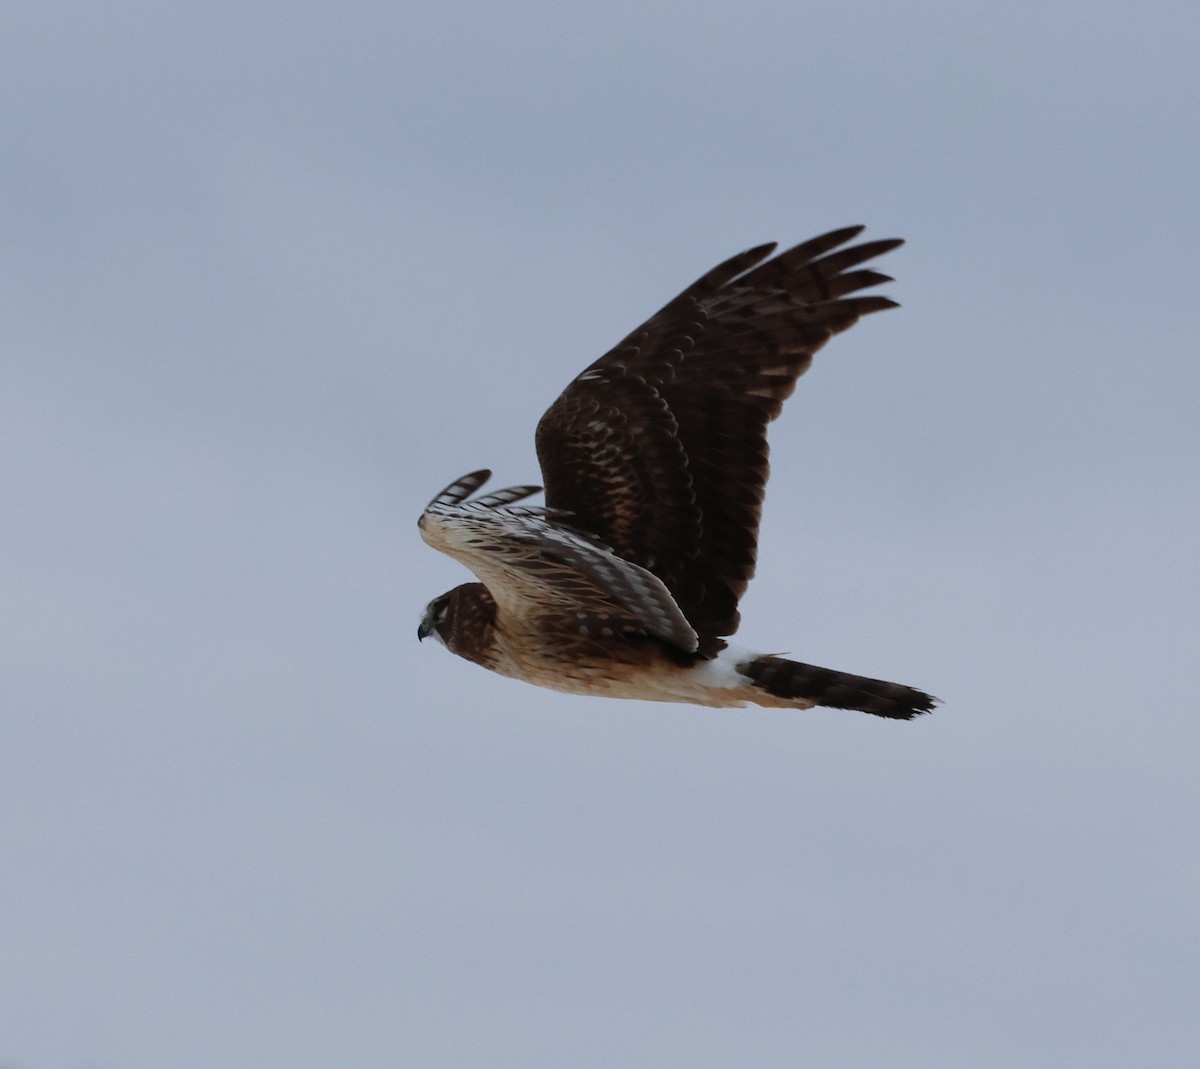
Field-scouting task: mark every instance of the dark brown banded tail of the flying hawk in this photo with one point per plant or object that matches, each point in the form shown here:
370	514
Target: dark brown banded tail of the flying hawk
783	683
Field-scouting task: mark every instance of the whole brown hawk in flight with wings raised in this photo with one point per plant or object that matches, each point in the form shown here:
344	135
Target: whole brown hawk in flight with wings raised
626	584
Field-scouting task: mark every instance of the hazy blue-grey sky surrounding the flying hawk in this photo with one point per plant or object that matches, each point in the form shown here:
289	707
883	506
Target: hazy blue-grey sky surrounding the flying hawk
273	275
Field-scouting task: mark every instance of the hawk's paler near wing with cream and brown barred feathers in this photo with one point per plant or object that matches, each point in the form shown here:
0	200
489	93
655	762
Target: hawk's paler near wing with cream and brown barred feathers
539	569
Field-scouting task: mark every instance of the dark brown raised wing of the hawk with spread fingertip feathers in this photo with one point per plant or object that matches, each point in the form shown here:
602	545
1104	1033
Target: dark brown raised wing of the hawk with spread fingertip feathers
659	448
